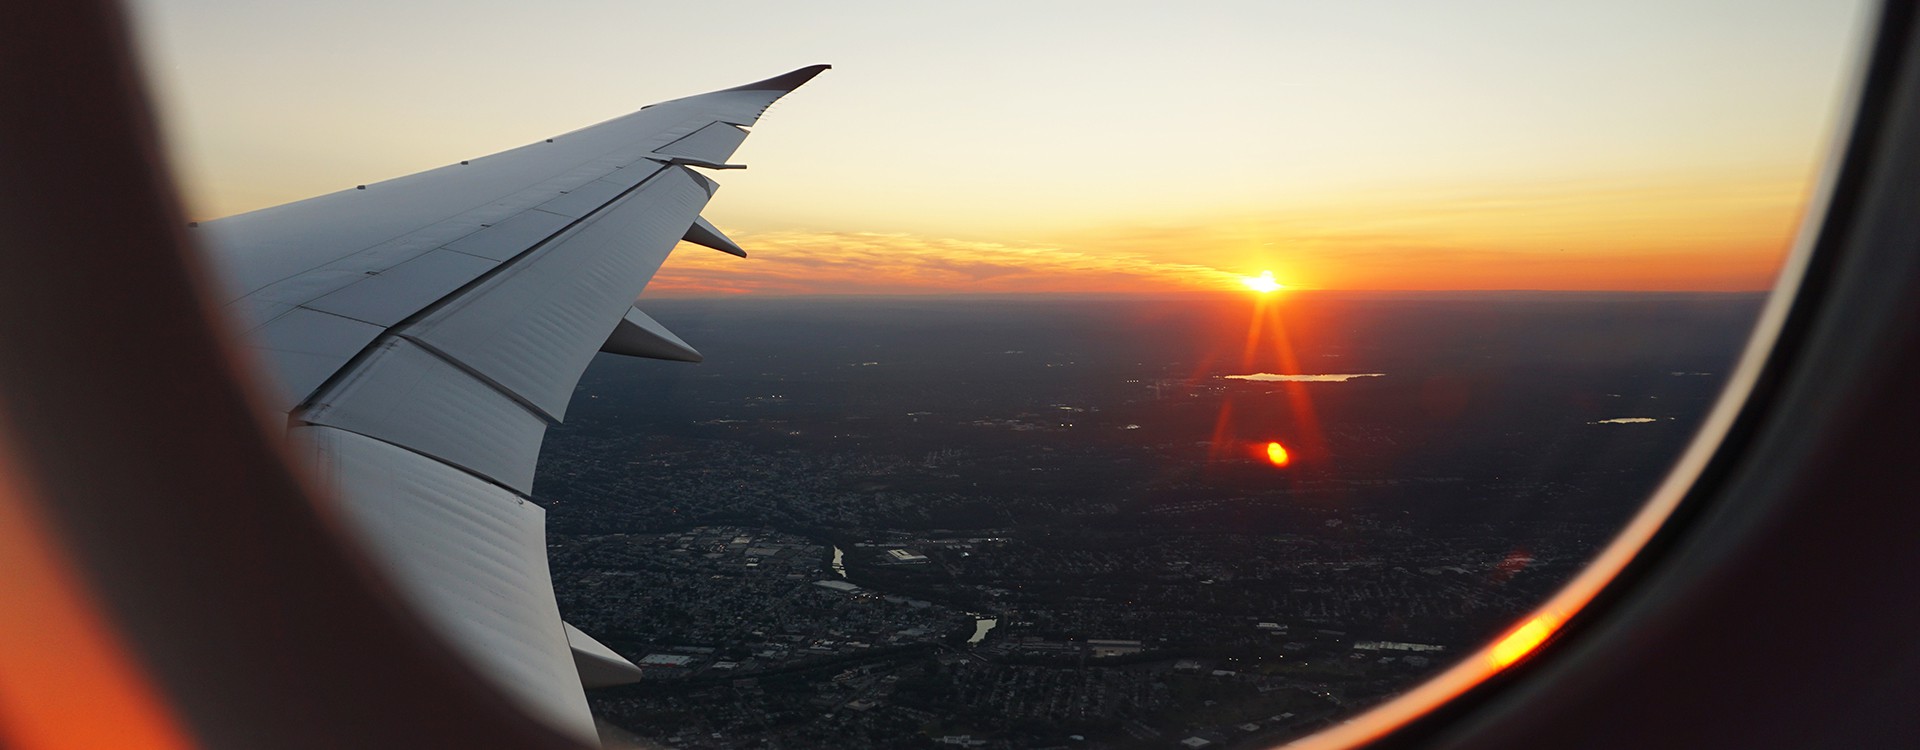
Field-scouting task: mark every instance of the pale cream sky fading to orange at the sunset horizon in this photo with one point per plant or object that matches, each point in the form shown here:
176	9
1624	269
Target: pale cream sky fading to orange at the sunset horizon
1080	147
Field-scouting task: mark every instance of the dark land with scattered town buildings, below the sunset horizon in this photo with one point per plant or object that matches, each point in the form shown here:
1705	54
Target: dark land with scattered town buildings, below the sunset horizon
1084	475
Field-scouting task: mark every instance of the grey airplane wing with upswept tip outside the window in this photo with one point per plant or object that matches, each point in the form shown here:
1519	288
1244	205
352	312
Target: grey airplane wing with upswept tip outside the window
425	331
